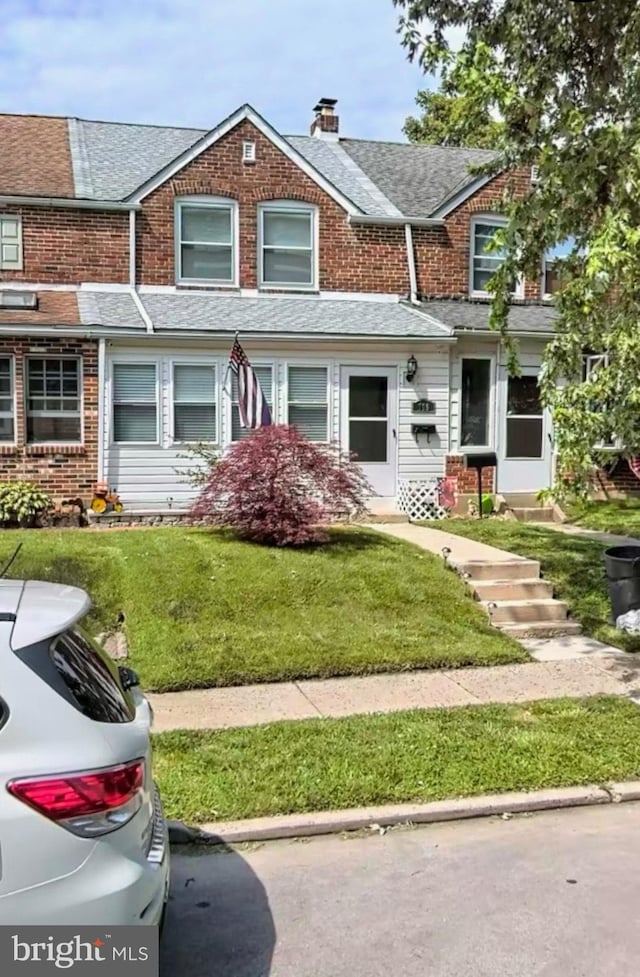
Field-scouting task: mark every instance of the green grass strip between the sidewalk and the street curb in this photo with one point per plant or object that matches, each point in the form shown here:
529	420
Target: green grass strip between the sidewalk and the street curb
321	764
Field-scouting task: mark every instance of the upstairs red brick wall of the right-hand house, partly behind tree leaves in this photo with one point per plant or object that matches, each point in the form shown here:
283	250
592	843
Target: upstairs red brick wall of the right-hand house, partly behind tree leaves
442	254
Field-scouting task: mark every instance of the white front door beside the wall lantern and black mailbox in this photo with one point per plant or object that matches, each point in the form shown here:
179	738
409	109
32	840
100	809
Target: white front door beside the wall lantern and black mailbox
368	423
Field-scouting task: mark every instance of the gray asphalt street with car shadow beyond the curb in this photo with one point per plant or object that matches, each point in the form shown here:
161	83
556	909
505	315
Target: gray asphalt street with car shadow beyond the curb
553	895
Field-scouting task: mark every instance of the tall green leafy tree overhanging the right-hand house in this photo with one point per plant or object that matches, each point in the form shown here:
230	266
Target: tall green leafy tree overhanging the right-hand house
565	78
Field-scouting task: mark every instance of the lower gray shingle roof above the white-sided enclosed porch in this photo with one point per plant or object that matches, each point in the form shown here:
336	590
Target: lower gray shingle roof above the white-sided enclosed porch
200	312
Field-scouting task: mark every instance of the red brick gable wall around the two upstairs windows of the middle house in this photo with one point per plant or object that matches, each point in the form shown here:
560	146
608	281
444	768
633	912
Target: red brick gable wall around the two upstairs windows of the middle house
363	259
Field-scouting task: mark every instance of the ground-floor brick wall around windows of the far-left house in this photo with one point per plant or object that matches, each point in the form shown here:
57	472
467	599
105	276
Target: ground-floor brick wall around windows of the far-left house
60	470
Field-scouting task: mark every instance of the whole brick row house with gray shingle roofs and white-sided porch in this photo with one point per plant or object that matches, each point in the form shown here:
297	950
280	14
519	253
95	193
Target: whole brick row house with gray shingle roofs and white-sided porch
354	271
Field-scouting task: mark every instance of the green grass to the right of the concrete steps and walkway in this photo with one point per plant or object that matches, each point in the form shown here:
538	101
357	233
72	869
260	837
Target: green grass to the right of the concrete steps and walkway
574	564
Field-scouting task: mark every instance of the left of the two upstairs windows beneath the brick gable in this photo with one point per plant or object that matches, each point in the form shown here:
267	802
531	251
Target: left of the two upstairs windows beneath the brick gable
206	241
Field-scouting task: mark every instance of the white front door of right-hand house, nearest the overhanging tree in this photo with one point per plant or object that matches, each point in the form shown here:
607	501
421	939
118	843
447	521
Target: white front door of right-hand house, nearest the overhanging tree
524	458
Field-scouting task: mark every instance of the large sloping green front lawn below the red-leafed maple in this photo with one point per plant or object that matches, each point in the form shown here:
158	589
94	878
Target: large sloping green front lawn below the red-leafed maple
202	609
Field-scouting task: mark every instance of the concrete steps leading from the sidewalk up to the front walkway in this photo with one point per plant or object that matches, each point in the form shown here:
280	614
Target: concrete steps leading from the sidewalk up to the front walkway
517	600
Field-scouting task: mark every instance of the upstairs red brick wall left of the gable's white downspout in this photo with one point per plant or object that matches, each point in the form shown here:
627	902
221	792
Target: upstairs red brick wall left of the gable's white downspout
64	246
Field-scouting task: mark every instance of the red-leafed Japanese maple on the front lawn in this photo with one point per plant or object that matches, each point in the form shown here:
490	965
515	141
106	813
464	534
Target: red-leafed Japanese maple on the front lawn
275	487
